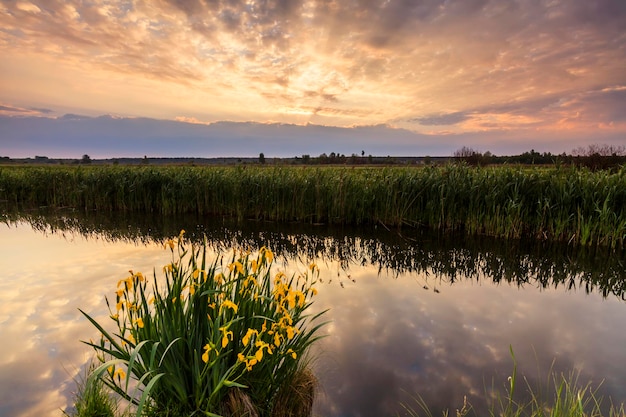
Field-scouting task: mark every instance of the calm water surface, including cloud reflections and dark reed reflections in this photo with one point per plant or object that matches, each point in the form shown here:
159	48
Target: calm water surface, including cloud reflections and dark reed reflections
411	315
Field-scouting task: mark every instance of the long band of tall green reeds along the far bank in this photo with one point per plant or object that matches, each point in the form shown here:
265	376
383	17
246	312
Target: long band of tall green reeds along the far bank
561	203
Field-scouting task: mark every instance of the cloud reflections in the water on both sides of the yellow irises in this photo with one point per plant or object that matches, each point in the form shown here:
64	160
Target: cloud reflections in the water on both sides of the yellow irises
392	336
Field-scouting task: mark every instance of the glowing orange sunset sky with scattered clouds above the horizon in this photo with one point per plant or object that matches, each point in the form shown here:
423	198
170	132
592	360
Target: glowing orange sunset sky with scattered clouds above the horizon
497	75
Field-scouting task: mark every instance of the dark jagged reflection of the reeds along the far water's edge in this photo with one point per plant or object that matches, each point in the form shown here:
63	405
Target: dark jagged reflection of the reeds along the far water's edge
447	258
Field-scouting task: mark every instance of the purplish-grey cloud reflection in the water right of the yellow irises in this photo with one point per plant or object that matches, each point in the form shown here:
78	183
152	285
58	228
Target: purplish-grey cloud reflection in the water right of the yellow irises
391	341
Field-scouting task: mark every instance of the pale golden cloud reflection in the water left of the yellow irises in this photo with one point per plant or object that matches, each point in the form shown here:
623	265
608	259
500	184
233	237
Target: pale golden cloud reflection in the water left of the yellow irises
45	280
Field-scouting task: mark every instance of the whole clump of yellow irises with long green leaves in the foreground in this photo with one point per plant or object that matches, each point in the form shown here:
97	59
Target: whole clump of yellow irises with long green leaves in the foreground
219	338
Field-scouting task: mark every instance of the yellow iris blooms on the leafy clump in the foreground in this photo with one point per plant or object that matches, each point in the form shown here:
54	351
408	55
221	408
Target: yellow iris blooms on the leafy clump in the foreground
277	328
